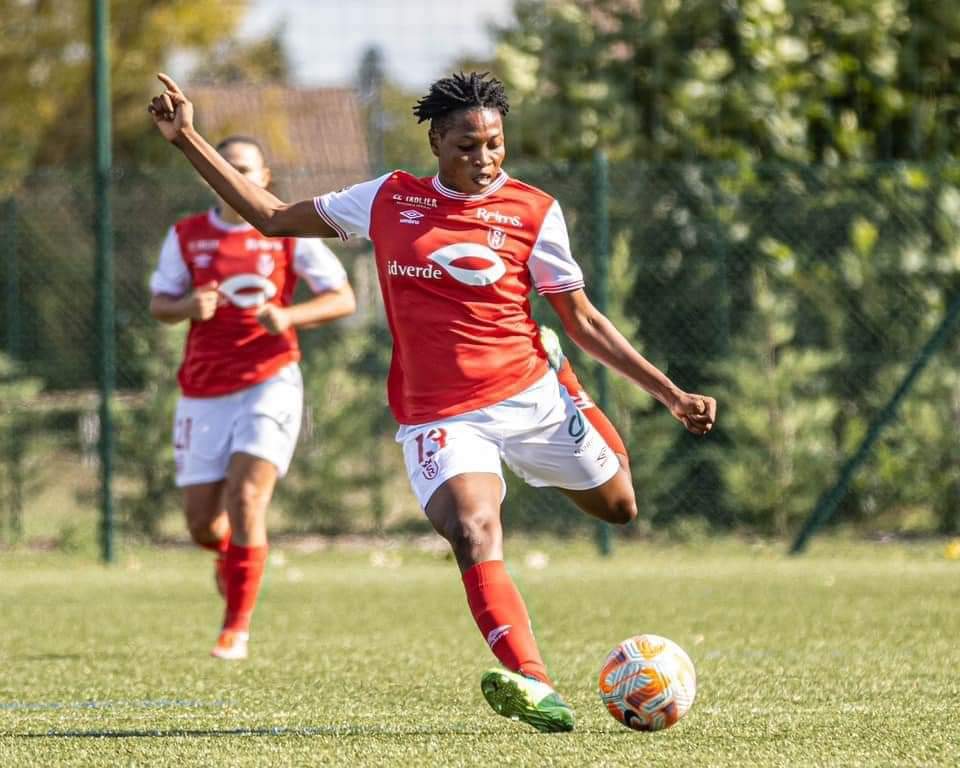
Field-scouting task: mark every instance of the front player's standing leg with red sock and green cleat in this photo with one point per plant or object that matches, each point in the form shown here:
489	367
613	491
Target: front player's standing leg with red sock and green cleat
465	510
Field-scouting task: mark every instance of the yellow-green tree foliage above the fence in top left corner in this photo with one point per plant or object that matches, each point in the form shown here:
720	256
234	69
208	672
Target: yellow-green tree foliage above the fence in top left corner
45	60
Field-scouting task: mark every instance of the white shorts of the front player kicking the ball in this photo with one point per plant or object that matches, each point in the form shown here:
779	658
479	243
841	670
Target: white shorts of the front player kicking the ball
539	433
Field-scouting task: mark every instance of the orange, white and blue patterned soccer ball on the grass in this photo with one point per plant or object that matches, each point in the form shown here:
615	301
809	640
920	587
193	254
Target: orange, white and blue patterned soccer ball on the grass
648	682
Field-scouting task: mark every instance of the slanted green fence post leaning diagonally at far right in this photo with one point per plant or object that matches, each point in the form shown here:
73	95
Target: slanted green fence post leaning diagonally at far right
830	501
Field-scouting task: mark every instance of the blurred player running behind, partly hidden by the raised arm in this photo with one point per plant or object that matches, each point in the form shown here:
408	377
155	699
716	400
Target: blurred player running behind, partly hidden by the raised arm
238	417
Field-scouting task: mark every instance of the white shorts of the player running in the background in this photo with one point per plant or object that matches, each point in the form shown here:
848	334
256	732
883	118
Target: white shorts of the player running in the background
262	420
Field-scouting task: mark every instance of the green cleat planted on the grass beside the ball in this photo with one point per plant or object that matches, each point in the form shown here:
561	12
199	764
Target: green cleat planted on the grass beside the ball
527	700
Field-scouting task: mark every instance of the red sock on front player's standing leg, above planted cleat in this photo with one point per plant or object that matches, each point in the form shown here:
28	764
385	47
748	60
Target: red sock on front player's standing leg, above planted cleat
498	609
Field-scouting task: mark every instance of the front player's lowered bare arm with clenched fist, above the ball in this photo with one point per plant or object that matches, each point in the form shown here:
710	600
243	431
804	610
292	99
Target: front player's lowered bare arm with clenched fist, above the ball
595	334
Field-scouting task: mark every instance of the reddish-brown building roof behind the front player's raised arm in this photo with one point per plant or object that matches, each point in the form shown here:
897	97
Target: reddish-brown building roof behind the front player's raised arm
315	139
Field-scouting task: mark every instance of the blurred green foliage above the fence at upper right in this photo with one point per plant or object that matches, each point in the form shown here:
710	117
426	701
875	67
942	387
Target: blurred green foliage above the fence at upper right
797	80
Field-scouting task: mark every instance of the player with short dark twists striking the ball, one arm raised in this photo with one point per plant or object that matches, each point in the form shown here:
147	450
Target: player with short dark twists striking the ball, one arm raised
470	383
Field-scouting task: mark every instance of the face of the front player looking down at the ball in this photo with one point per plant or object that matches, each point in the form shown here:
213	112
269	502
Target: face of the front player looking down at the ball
471	151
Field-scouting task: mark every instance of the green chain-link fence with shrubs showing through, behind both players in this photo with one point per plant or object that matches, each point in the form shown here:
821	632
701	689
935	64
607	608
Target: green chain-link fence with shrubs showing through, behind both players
798	296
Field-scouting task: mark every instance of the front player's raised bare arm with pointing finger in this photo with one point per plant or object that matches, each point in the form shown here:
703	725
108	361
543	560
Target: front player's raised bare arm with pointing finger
172	113
